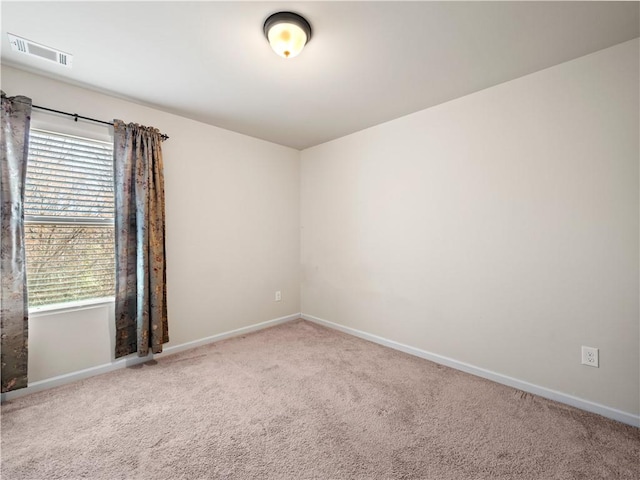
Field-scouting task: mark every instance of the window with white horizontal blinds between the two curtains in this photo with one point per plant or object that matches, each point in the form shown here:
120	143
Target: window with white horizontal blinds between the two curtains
69	233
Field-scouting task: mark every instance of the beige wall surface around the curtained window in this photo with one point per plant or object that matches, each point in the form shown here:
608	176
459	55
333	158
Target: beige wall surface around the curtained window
232	238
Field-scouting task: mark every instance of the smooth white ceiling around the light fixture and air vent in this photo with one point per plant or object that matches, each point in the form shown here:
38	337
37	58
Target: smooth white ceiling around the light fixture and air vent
368	62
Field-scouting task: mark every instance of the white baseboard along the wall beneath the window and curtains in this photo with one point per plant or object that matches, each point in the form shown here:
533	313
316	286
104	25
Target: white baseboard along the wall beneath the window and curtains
134	360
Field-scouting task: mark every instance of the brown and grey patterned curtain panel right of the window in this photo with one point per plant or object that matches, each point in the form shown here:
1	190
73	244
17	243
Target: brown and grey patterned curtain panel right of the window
141	293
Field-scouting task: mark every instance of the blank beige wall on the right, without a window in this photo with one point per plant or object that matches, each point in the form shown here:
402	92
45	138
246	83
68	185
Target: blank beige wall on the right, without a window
499	229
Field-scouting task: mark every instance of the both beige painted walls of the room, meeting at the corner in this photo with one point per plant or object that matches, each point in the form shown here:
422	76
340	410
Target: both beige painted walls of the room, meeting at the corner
499	229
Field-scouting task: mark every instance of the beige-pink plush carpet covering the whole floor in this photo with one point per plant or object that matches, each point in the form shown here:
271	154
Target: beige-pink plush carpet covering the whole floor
299	401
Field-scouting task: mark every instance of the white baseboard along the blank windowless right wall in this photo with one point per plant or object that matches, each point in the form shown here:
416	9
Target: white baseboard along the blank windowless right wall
620	416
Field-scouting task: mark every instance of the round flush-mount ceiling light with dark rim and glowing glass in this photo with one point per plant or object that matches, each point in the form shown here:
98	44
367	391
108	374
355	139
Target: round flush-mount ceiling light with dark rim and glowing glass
287	33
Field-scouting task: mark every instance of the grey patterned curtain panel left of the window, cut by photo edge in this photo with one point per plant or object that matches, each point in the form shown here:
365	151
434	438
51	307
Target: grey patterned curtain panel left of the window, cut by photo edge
14	313
